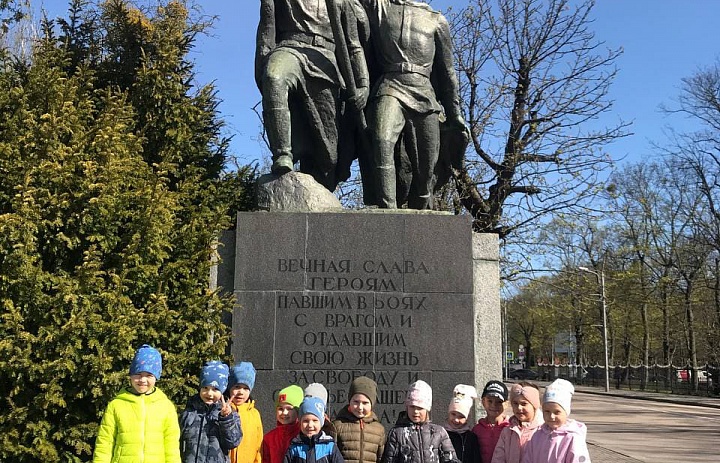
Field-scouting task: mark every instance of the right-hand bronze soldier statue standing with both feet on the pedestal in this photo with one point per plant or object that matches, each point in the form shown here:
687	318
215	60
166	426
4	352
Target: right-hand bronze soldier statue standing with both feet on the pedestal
414	88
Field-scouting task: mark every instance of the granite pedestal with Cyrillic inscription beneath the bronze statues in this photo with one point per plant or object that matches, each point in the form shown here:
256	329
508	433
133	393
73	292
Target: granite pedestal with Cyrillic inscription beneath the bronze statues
327	297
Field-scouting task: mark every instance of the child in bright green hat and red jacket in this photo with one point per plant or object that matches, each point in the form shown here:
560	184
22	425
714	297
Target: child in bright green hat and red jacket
276	442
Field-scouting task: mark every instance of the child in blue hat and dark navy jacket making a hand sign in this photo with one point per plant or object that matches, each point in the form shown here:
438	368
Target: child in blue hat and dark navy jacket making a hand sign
210	428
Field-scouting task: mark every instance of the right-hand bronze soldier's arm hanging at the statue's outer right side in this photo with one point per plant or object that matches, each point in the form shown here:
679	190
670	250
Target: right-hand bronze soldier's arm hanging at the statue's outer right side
447	83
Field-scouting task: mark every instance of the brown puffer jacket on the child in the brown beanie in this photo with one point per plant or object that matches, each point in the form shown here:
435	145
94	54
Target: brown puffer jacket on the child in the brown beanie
359	441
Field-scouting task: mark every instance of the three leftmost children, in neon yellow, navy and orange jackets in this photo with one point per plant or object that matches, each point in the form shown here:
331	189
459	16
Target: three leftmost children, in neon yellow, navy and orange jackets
141	424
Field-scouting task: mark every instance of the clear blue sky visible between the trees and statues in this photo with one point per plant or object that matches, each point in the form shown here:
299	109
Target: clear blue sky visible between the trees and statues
663	41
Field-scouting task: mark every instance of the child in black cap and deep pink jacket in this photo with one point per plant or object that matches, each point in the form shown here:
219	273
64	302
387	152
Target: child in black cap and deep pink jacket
488	428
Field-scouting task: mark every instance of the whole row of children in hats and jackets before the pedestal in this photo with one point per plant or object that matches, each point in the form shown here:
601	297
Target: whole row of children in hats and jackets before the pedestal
220	424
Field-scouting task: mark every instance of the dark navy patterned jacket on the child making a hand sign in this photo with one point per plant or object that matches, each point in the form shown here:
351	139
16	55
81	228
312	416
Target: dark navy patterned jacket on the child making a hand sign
207	437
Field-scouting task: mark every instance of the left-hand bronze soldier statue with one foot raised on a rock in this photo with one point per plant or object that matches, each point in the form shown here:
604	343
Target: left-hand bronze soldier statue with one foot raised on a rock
307	53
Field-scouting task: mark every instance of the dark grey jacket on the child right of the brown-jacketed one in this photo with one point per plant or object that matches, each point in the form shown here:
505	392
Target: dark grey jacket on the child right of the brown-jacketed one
425	442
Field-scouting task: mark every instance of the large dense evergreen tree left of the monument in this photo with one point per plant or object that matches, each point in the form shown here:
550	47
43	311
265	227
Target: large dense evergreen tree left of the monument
112	194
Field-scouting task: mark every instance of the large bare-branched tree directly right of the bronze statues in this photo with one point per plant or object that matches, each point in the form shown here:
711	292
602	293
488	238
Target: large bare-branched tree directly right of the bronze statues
533	81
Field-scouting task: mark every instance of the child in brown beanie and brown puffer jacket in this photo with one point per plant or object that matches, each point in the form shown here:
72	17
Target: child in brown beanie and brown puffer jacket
359	434
